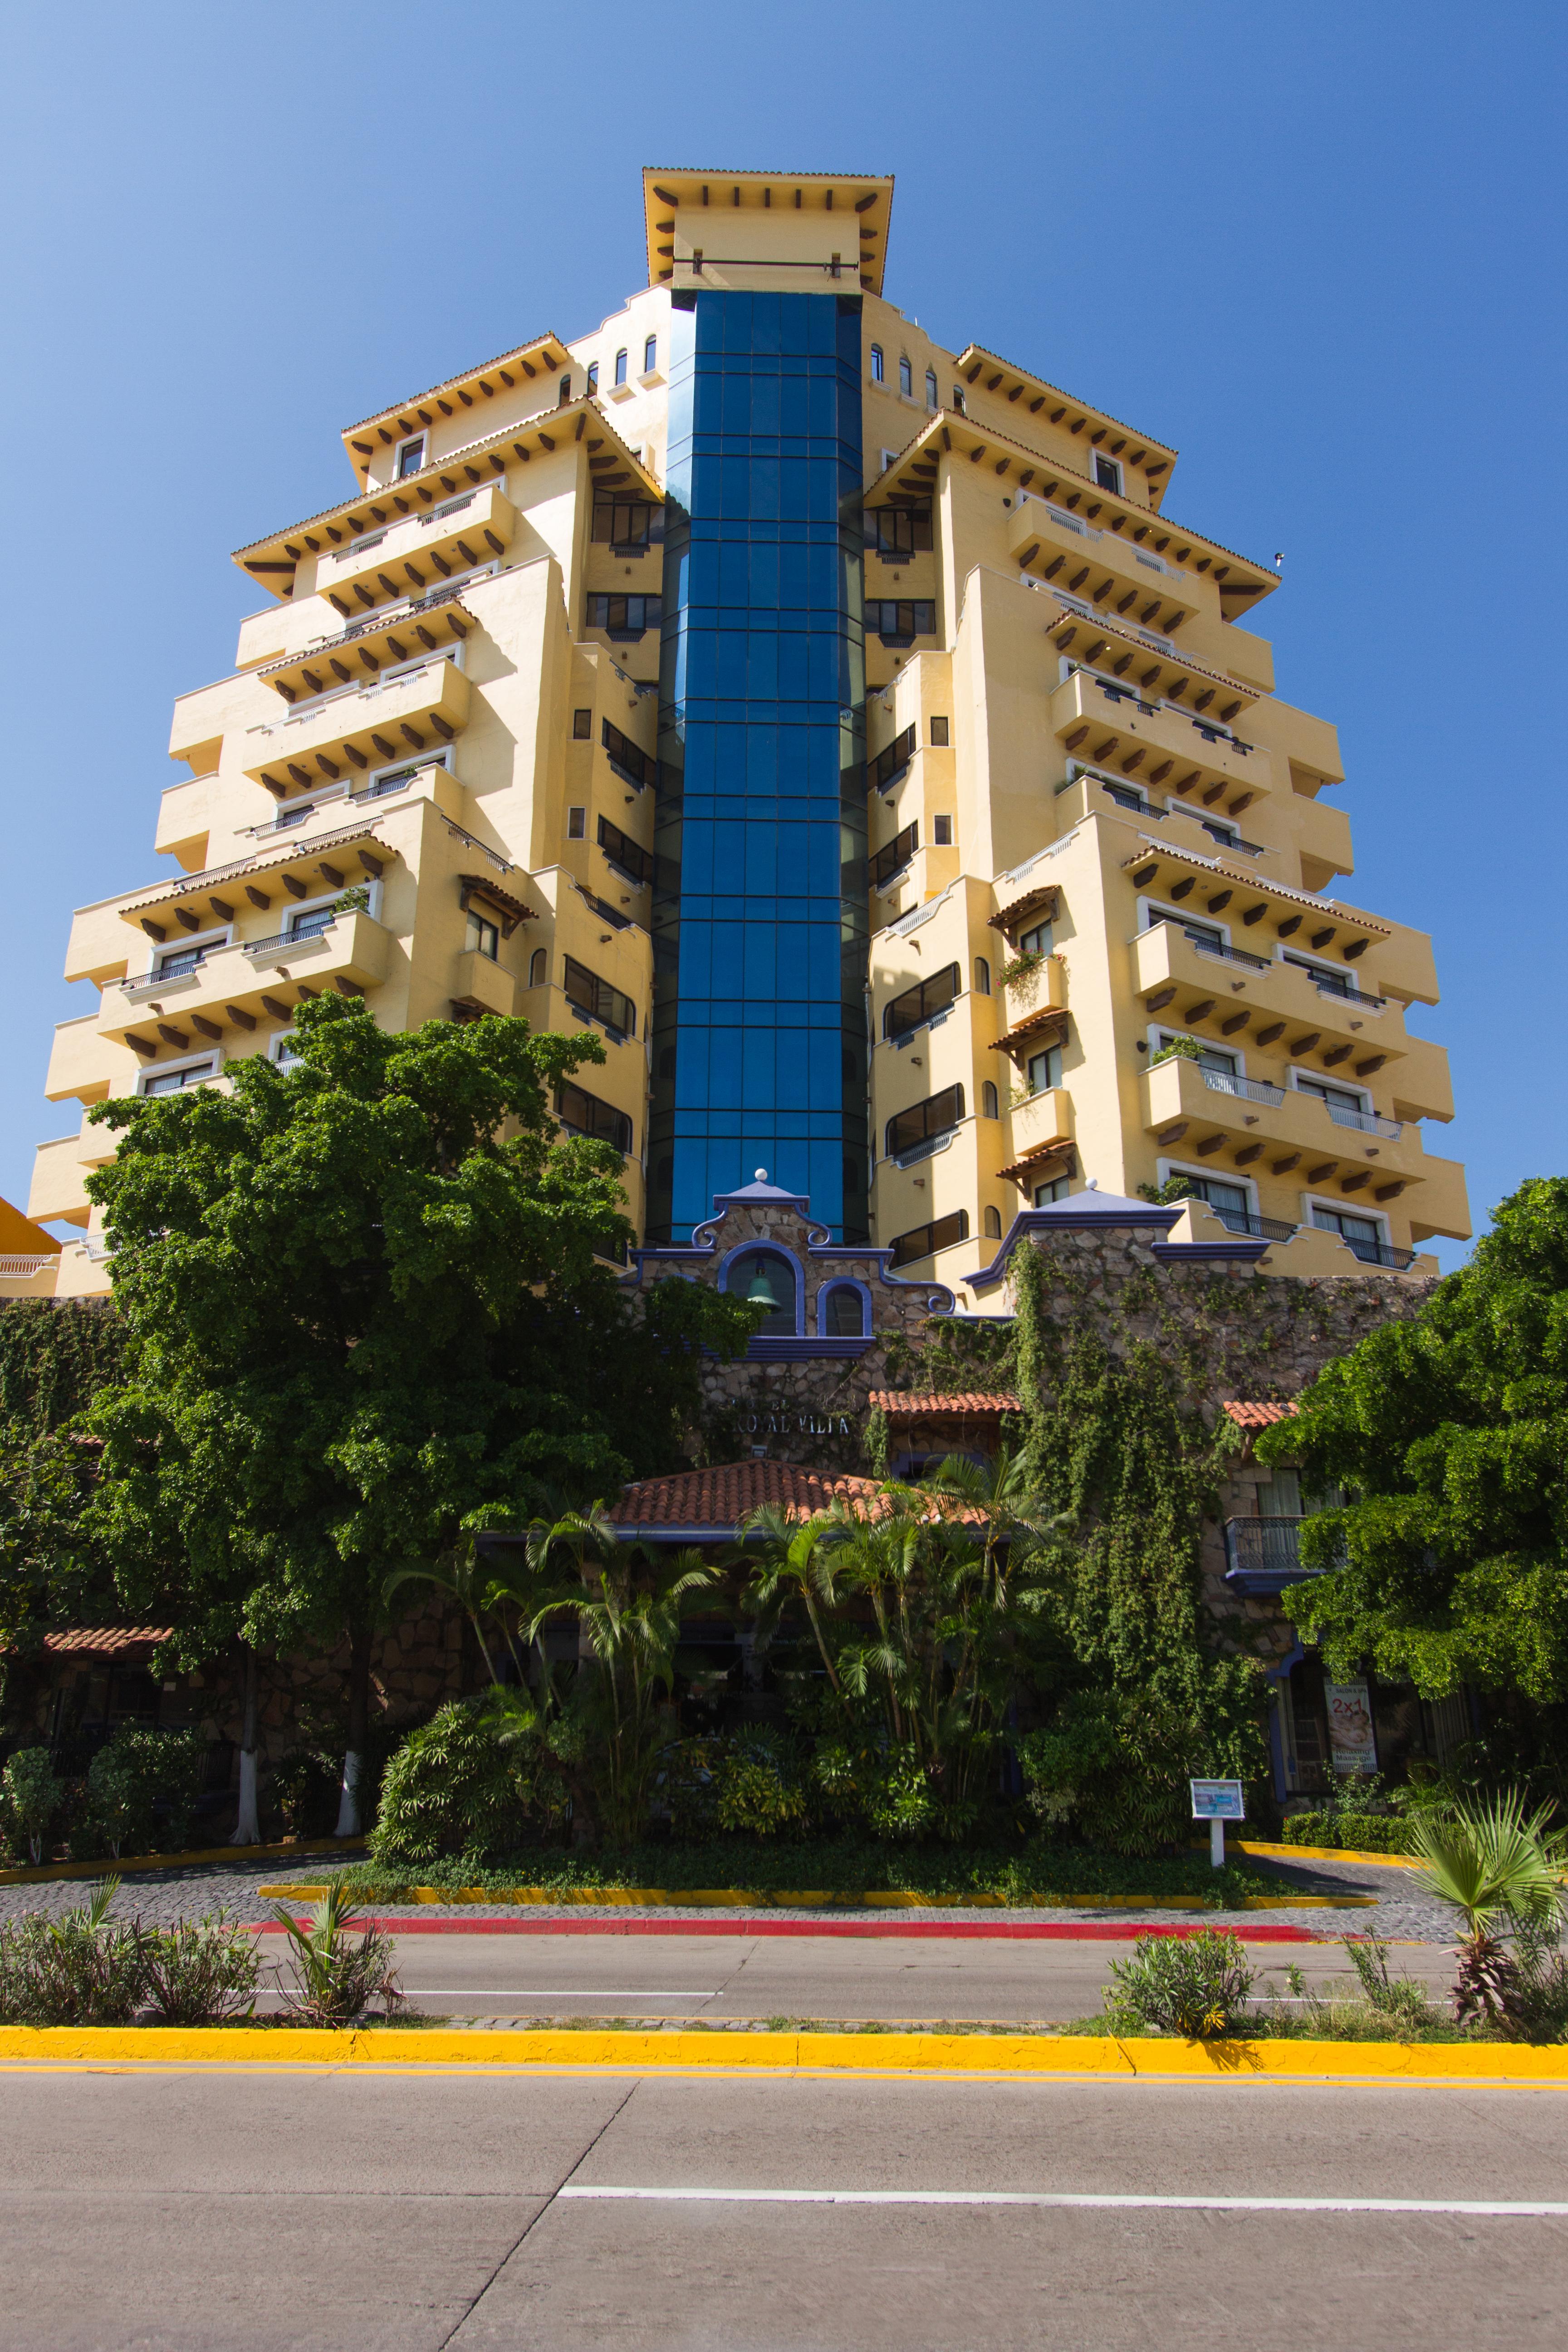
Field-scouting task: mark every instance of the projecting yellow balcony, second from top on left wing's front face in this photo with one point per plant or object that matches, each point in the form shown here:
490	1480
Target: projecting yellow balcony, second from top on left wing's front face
354	728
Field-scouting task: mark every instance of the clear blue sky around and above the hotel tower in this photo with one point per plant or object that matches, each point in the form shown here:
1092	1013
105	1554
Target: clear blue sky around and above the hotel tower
1320	248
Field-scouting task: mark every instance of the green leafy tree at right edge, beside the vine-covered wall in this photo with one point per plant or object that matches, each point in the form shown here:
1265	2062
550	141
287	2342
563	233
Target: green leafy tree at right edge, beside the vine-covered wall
1452	1434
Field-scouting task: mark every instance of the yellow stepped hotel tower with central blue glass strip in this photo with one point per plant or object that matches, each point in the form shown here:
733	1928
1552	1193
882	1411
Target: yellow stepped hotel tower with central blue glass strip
843	728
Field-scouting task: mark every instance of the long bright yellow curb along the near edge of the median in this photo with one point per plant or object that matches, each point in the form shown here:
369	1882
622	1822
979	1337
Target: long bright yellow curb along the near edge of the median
775	2054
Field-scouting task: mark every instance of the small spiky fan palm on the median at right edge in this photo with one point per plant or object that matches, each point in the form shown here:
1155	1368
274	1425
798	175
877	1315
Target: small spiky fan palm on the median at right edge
1499	1869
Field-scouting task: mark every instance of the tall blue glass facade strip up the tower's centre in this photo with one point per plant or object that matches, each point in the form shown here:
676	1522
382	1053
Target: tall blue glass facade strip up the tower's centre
760	918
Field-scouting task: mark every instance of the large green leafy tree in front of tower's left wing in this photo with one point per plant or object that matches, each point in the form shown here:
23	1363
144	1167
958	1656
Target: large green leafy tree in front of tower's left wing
366	1297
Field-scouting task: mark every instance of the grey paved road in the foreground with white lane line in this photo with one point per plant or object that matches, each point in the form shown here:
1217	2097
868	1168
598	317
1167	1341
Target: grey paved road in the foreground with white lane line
307	2212
